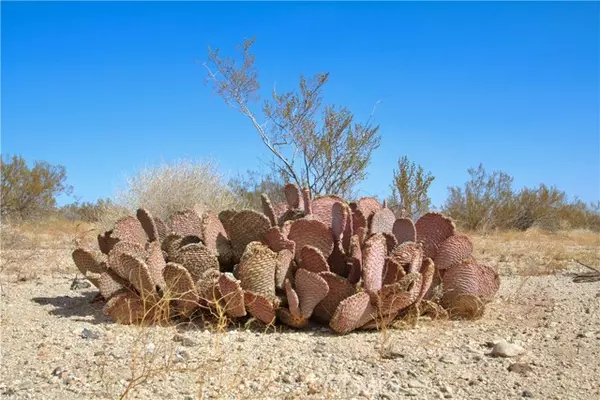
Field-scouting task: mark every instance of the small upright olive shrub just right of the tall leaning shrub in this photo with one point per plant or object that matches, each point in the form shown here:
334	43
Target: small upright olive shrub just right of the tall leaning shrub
409	189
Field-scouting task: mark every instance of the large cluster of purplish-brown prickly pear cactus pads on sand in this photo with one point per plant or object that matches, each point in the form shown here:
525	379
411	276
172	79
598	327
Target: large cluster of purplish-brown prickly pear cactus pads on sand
347	265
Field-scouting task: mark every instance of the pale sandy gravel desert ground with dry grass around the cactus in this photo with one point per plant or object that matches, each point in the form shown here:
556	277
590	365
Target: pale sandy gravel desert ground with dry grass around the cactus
57	344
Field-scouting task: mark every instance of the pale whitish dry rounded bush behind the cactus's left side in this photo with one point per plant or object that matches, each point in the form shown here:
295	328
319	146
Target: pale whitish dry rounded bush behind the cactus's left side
169	187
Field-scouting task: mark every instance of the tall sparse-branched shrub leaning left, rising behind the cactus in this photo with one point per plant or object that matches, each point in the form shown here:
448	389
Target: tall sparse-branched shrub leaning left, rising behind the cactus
315	145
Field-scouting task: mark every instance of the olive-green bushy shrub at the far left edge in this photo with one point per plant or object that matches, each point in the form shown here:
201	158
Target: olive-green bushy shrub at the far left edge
27	192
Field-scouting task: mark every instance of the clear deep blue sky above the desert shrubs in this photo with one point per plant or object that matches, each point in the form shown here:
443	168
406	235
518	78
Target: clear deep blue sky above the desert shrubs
105	88
